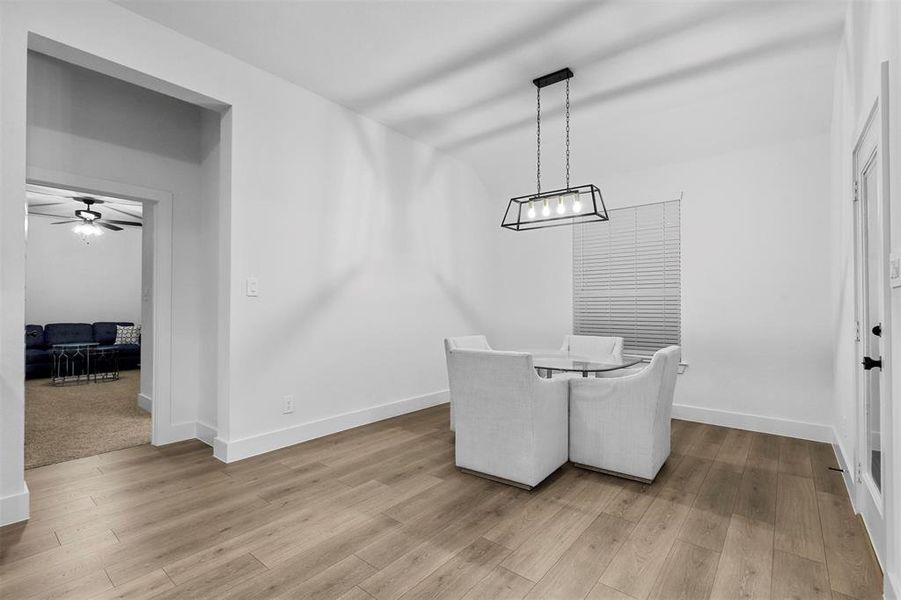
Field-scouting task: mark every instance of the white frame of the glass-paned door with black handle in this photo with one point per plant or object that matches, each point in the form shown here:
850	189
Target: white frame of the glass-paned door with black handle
871	503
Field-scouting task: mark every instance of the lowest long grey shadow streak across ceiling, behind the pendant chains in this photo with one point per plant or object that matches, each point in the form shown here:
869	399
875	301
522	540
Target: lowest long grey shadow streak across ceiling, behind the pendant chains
795	42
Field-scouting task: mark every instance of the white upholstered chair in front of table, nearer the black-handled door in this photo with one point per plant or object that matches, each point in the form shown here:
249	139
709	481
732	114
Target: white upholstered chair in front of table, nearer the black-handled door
621	426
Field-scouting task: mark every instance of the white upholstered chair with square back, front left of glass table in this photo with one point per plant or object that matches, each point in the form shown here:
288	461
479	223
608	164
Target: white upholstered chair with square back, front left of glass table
511	424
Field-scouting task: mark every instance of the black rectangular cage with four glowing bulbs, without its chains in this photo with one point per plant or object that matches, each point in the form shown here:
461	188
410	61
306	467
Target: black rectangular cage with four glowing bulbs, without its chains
567	206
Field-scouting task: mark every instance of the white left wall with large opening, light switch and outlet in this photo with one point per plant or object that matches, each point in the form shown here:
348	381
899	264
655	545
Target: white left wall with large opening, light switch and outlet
362	241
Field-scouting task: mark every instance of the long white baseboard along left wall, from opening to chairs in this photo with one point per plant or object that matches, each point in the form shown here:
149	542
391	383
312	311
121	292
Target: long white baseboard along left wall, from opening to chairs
234	450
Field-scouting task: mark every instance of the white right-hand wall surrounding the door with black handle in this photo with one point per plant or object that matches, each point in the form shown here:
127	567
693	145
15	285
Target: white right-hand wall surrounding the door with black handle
872	35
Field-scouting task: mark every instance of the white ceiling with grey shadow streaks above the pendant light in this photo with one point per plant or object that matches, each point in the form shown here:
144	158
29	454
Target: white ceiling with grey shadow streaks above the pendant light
654	81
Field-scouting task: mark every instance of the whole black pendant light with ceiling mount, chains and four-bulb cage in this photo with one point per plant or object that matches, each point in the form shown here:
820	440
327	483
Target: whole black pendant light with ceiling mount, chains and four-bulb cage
565	206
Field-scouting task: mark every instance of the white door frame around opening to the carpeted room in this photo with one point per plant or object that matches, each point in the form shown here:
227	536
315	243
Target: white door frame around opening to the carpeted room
158	222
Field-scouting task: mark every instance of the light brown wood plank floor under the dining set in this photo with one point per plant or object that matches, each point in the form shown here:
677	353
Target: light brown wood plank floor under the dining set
381	512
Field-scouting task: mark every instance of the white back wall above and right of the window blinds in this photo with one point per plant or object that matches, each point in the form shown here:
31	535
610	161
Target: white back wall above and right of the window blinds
755	282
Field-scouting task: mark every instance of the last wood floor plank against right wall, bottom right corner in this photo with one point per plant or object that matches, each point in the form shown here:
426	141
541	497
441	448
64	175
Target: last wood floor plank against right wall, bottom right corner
852	568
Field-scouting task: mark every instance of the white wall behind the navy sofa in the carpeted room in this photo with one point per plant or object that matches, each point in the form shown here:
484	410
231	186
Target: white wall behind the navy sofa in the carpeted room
70	281
